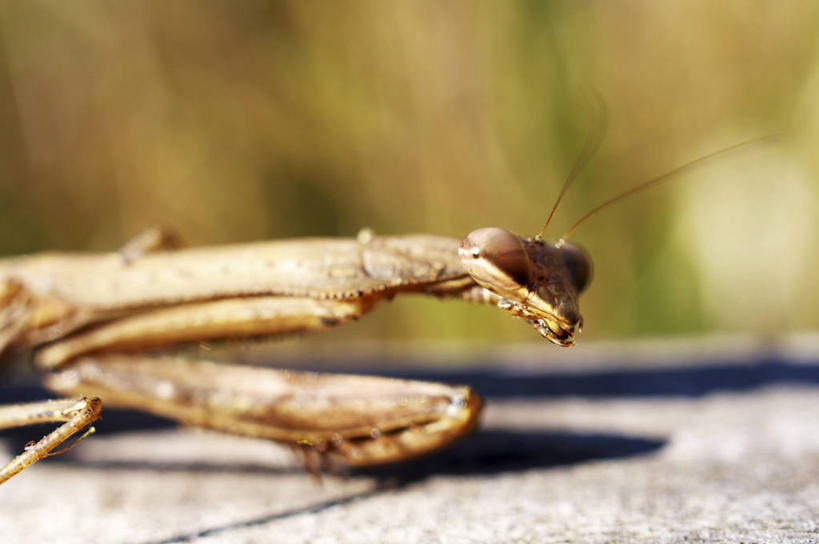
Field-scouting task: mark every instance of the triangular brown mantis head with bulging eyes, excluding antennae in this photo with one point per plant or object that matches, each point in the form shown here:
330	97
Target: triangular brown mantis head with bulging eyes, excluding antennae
536	281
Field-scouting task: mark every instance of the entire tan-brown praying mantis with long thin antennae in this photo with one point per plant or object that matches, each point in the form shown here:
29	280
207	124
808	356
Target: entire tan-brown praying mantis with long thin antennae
90	318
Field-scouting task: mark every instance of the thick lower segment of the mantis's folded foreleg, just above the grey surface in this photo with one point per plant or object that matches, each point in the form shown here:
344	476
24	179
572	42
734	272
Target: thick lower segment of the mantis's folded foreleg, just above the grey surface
361	419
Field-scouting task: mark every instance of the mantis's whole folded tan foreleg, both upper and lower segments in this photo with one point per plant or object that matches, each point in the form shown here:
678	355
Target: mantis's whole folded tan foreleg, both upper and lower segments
355	417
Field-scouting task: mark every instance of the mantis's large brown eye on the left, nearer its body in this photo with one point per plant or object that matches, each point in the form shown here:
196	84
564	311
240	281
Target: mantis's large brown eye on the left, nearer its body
496	259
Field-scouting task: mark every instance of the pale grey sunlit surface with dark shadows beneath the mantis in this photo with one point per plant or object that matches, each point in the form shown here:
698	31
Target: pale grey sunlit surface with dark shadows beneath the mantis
660	442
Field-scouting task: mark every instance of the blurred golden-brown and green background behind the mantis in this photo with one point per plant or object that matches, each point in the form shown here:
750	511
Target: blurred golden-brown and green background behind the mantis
235	121
